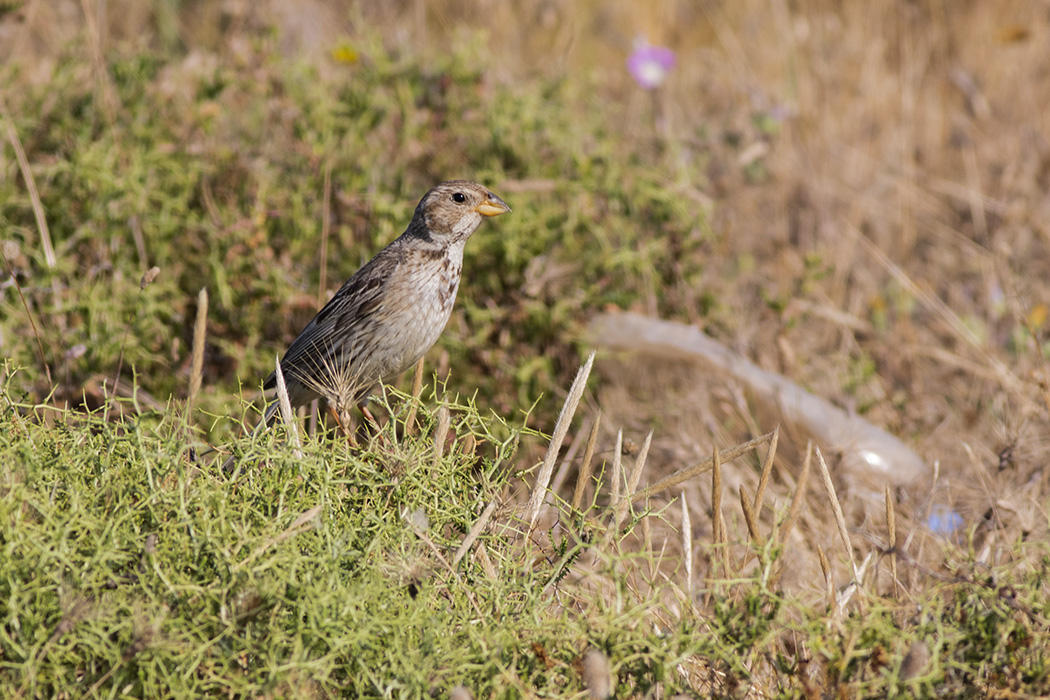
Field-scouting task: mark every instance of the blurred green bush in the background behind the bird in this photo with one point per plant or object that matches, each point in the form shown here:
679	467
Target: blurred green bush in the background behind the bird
215	173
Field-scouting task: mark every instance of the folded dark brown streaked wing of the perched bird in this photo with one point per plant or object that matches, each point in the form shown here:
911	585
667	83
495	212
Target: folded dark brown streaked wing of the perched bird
360	299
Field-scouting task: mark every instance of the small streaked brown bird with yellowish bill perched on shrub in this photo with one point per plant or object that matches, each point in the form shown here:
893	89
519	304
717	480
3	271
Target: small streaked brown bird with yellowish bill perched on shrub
393	310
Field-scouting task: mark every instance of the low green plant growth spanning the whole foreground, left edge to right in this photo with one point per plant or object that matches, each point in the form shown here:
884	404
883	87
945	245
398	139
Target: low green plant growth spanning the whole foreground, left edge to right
133	565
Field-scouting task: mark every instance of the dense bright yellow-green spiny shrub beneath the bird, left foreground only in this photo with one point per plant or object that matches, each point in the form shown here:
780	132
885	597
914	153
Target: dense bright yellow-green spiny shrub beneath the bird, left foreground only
130	565
